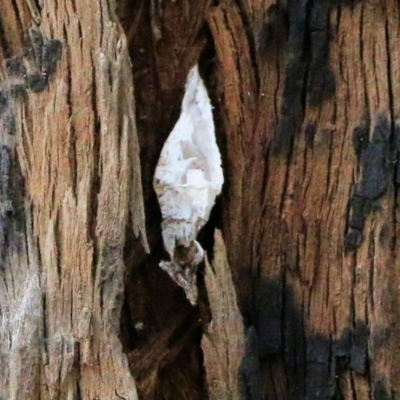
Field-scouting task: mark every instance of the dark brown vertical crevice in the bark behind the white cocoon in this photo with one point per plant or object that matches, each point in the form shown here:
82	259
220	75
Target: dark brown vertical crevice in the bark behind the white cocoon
152	300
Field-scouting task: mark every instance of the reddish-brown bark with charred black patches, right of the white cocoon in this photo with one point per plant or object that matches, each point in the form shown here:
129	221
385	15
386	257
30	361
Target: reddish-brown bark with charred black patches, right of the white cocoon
309	212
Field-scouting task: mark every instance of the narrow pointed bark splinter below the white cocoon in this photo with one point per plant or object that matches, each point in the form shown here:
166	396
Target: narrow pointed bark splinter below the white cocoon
224	343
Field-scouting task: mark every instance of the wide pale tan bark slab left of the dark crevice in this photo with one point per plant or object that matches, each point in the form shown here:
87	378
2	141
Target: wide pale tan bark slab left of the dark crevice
77	146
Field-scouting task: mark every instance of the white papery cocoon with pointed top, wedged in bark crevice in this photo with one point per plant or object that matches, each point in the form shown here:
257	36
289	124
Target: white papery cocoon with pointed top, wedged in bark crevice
187	180
